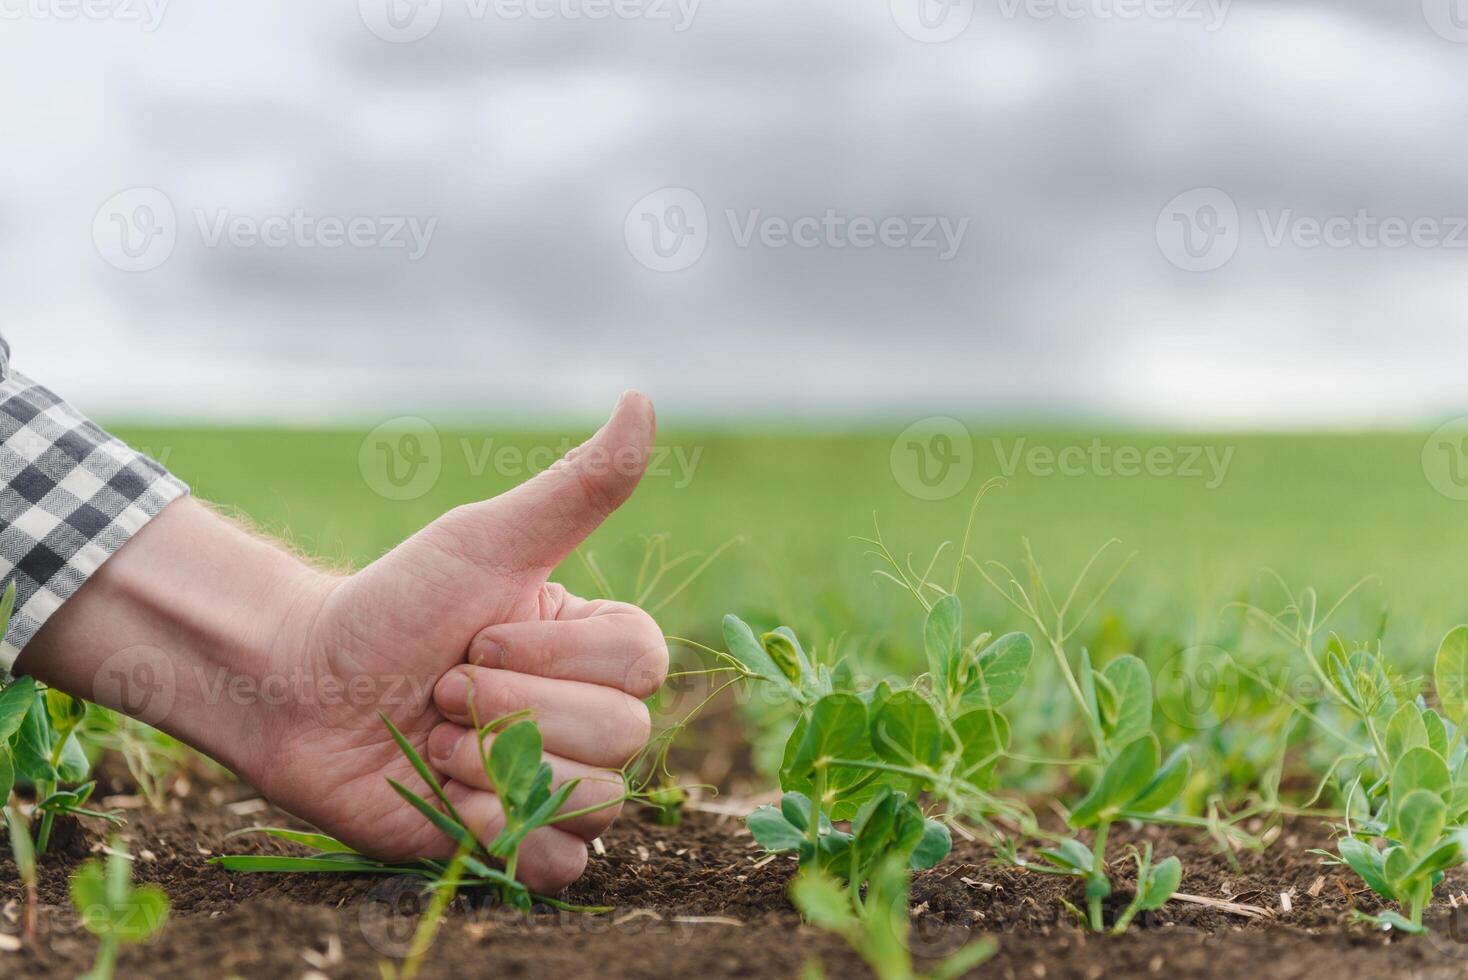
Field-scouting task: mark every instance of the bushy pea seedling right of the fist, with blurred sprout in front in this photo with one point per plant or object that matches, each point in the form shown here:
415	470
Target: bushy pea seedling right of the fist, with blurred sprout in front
867	758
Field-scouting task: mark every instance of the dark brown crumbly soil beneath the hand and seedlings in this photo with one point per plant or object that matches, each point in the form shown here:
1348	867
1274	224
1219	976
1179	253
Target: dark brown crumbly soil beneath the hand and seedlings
701	902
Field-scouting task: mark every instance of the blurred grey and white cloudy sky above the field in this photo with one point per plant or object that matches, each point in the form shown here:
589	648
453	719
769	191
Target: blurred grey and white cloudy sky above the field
535	155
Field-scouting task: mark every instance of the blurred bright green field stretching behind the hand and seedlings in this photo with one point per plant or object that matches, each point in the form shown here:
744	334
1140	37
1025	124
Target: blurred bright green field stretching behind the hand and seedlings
1319	510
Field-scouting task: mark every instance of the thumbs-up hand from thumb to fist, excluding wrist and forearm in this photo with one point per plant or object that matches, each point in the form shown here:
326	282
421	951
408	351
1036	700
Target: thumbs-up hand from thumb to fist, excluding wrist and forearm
462	623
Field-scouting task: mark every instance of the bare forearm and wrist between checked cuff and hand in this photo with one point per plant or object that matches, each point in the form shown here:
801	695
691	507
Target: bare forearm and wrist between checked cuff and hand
184	629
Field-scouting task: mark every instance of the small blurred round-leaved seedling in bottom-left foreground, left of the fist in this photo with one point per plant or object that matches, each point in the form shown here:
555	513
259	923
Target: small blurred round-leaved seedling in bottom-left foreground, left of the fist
114	910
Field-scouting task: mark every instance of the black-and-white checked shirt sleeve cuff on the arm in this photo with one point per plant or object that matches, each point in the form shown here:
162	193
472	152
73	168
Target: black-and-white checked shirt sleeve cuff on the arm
71	497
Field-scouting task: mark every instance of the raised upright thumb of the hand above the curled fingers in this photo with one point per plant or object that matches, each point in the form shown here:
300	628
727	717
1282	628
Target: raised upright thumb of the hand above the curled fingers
542	522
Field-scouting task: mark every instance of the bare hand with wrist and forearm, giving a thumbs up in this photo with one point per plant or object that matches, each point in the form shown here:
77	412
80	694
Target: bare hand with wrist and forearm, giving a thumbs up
393	637
